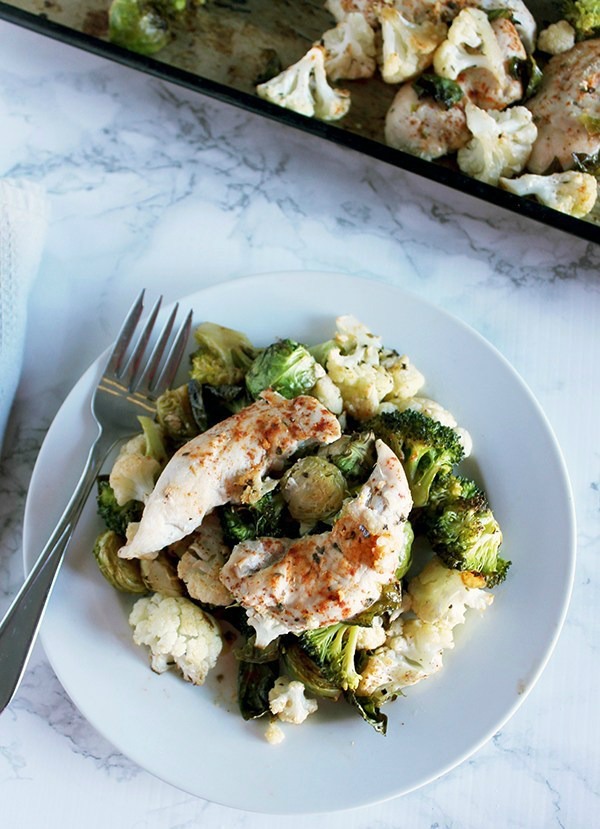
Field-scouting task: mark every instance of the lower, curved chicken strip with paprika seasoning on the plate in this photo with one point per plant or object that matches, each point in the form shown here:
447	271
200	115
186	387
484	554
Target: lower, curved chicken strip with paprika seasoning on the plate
317	580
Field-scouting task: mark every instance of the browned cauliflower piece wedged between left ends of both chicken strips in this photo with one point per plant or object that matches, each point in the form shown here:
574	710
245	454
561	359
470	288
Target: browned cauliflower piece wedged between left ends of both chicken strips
200	565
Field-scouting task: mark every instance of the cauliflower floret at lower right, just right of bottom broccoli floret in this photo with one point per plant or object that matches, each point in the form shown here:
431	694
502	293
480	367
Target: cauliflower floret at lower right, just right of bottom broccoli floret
412	652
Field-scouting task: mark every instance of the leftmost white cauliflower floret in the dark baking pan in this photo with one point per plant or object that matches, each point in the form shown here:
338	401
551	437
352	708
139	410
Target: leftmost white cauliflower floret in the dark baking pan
303	88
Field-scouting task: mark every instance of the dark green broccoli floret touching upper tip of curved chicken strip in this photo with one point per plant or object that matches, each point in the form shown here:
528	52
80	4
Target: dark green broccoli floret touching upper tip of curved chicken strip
425	447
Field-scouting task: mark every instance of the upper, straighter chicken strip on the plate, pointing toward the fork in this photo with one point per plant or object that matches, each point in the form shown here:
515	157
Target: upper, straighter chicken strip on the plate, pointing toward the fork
225	464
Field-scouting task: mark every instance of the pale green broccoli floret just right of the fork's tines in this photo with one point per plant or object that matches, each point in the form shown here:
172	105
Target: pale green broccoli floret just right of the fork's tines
223	355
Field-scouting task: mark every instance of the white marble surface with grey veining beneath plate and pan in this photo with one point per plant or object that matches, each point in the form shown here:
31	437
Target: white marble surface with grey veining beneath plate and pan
151	185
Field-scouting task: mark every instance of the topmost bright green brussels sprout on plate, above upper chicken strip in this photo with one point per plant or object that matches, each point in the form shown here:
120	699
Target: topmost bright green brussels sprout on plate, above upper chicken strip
285	366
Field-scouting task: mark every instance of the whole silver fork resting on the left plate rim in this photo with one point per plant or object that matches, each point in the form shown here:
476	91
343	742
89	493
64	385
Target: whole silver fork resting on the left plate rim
129	386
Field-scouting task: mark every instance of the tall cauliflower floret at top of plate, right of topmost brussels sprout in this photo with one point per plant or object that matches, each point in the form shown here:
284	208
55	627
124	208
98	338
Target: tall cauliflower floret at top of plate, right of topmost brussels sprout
354	366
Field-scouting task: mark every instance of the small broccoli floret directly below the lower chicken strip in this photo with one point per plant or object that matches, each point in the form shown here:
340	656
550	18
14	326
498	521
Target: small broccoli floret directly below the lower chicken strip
333	648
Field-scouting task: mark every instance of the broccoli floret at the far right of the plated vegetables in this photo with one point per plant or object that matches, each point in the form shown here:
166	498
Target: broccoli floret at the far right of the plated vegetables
466	536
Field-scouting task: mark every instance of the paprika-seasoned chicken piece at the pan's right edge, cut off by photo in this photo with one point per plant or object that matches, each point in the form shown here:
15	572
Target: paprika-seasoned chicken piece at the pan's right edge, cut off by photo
568	97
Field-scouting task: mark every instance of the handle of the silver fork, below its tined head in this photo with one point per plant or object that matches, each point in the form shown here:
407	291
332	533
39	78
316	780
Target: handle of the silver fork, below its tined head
20	625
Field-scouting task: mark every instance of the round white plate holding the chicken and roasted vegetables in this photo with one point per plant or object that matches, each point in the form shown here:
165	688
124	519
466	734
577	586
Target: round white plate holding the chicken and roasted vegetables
194	737
